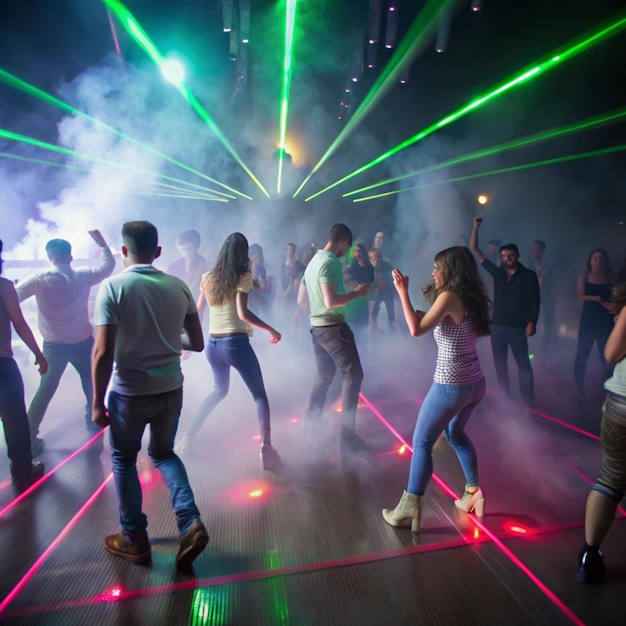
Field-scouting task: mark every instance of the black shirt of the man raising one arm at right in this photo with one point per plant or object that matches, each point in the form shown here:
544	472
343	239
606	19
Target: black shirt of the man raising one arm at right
515	300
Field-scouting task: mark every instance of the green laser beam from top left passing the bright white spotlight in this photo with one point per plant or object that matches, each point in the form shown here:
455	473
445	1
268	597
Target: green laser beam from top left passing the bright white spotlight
141	38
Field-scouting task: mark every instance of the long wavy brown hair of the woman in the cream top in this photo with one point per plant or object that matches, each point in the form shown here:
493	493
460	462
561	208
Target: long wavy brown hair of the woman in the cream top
220	284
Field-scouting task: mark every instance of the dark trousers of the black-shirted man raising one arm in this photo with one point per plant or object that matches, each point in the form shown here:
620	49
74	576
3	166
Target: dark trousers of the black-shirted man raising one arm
515	336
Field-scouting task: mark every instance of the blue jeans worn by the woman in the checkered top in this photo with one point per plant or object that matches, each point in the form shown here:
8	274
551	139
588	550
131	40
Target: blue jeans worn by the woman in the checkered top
446	408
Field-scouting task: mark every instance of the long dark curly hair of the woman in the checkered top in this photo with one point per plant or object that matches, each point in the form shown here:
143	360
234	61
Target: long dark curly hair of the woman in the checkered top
460	276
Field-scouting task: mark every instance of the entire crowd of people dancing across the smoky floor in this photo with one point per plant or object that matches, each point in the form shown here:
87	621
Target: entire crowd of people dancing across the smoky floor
145	319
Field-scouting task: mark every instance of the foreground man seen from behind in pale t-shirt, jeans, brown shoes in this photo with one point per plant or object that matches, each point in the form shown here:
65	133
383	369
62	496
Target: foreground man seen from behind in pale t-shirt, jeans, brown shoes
139	317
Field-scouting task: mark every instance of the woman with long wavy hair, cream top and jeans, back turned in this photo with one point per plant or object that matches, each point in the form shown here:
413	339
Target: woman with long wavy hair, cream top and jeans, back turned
226	289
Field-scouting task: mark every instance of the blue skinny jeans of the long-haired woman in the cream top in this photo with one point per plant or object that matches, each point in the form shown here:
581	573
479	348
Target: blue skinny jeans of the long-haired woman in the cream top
222	354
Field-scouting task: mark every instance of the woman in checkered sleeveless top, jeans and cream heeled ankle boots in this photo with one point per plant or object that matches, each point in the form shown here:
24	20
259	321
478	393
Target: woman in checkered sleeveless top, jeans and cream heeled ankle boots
459	315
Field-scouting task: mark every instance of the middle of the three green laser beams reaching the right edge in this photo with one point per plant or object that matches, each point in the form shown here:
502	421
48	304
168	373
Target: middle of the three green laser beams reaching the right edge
589	123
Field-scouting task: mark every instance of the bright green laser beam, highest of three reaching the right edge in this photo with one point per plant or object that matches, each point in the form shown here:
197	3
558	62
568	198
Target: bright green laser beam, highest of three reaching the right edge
533	71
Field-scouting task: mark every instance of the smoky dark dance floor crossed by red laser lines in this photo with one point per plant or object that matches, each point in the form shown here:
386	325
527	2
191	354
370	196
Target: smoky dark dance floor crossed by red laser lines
306	544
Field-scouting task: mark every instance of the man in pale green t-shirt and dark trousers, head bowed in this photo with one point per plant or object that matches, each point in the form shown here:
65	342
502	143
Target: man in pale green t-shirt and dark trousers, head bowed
333	340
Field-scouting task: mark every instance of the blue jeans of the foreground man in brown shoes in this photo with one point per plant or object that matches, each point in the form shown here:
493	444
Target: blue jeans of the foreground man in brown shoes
129	416
